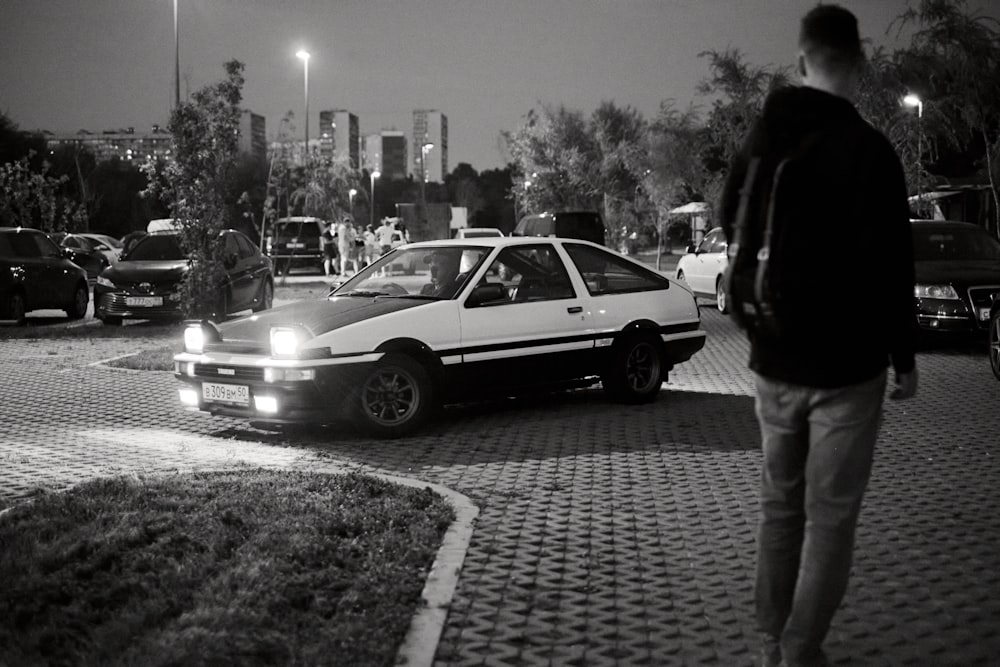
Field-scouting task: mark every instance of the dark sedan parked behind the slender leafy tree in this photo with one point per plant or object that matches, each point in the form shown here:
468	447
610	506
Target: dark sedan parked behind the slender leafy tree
145	283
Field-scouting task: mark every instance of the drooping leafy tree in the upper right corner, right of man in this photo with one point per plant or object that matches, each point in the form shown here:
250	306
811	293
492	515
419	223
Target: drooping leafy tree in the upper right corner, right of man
956	55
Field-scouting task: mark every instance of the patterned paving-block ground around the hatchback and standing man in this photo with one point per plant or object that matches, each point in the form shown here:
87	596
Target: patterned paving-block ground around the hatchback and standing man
608	535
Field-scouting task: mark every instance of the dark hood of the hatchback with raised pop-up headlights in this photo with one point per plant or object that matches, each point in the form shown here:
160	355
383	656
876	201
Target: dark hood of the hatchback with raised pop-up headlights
316	316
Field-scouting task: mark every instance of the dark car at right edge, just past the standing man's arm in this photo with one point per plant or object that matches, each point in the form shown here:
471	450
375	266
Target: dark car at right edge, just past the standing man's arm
957	275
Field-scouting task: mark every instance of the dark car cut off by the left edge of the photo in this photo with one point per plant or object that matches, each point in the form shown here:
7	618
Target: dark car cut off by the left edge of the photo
35	274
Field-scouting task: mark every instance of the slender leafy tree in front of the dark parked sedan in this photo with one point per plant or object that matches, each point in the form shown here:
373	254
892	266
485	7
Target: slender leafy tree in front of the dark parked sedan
199	186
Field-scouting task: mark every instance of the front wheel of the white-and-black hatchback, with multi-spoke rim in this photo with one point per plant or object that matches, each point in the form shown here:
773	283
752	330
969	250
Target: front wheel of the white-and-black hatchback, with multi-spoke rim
395	398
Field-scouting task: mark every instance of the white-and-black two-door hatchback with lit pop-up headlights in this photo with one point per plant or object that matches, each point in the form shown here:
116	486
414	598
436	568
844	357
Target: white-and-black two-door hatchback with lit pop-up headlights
445	321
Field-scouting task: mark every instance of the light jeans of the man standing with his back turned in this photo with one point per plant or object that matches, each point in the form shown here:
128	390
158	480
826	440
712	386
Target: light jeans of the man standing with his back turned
818	446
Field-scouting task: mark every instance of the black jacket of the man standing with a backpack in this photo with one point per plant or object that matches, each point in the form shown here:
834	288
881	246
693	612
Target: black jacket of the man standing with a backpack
854	275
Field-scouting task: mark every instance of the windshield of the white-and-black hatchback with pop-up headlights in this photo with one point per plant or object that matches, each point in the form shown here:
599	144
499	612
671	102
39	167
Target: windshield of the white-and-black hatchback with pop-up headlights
437	272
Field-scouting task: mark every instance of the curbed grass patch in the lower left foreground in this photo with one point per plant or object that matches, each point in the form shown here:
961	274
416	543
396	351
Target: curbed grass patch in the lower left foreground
250	568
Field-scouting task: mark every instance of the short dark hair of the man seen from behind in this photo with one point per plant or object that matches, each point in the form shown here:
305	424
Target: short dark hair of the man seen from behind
829	38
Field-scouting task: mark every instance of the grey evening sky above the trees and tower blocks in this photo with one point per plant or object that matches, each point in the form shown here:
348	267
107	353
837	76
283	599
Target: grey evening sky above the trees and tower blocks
103	64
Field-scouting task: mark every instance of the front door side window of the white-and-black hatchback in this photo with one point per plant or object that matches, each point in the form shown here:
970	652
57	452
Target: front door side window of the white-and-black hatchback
530	273
